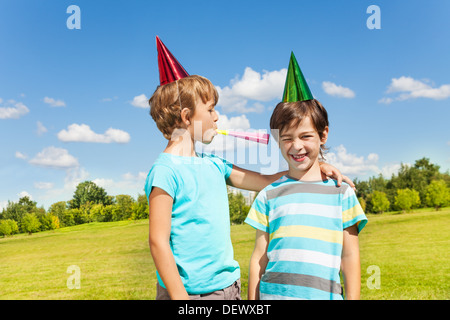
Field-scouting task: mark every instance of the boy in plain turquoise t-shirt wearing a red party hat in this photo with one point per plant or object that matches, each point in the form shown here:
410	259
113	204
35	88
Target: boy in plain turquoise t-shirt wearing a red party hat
189	223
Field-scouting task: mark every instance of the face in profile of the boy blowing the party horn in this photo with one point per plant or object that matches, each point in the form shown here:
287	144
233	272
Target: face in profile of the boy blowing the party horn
203	122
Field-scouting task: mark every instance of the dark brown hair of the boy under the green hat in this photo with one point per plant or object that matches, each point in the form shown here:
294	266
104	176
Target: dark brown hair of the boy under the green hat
289	114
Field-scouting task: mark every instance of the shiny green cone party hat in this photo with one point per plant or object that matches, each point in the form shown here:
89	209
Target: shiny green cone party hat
295	88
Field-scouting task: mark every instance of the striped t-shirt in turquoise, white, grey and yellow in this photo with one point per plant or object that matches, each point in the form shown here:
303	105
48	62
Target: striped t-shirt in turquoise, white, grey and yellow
305	222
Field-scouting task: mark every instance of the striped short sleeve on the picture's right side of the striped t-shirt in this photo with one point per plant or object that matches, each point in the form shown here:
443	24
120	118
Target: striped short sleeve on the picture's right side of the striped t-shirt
352	212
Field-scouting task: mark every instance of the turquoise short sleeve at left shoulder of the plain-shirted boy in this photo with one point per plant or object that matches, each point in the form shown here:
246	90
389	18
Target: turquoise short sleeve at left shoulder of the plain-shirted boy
162	177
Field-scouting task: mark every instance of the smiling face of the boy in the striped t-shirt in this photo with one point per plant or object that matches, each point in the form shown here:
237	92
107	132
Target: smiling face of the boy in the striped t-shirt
300	146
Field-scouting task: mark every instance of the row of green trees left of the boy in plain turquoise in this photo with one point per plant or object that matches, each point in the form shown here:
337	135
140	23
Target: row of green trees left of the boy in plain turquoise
90	203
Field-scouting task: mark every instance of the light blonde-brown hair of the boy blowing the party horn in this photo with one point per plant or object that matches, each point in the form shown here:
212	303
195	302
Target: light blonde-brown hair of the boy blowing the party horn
168	100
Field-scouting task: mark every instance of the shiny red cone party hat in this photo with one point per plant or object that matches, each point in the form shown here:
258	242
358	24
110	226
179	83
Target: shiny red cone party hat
169	68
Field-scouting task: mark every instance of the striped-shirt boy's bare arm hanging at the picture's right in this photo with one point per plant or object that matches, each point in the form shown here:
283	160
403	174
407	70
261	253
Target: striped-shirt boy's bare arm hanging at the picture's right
350	264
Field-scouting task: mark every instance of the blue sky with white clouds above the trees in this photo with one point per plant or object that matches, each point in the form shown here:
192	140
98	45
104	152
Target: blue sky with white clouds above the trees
72	101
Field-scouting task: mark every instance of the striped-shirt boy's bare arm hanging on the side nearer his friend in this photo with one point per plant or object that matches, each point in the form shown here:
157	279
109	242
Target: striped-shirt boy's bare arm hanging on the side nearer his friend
258	263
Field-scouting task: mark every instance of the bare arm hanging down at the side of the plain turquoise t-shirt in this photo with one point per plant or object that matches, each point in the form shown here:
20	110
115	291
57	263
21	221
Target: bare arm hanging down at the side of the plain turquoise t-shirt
160	212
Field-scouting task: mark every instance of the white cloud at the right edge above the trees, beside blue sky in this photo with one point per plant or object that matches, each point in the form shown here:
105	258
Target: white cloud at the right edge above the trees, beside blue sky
409	88
